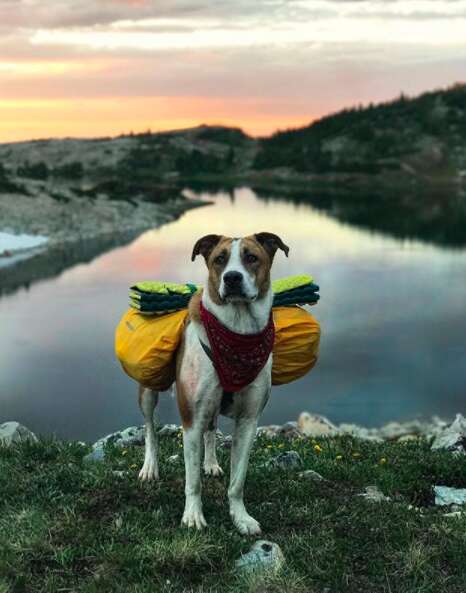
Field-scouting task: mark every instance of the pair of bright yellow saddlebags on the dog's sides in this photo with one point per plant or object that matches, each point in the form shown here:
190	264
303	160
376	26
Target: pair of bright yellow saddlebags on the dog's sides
146	345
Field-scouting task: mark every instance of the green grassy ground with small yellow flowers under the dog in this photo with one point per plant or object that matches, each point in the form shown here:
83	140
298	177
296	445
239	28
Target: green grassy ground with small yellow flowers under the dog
66	526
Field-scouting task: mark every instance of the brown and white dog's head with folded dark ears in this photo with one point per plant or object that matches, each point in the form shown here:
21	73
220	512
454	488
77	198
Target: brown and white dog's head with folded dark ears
239	269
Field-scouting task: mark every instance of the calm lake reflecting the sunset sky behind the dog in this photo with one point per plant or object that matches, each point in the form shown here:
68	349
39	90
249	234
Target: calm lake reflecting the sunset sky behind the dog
393	317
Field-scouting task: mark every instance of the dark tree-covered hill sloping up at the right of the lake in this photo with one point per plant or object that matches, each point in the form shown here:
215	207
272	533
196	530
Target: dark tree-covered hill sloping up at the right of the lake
425	135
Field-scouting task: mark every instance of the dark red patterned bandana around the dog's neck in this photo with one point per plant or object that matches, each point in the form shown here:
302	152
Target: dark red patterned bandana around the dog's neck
237	358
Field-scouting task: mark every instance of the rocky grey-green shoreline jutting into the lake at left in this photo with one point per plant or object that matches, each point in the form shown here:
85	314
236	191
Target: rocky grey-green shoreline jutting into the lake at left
76	231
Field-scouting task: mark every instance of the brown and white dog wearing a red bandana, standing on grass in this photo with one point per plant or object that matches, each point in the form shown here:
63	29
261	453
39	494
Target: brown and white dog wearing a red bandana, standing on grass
237	302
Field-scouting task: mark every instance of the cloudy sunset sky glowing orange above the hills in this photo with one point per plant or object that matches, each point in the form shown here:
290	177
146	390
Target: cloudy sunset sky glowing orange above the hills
103	67
